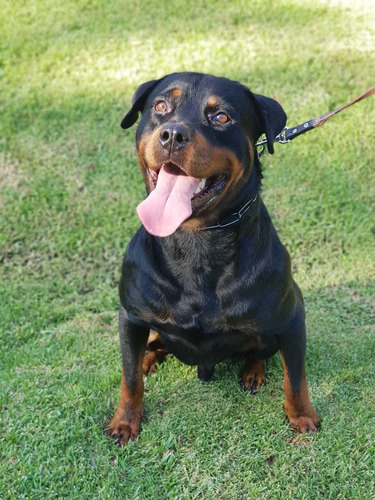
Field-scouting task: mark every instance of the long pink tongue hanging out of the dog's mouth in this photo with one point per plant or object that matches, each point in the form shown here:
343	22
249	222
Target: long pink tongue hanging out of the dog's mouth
169	204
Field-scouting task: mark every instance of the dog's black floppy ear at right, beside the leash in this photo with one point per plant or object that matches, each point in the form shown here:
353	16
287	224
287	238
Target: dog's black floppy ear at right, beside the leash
272	117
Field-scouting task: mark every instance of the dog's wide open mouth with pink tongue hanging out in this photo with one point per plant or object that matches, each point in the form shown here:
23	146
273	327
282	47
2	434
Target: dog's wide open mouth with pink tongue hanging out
176	196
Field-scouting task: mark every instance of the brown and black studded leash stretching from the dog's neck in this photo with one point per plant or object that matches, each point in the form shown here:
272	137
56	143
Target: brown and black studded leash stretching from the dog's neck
288	134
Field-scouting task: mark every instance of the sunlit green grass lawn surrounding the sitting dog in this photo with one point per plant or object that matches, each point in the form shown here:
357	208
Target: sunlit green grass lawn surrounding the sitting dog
69	185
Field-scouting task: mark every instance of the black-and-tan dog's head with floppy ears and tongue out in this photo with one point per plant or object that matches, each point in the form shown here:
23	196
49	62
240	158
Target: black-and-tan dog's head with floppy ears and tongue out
195	146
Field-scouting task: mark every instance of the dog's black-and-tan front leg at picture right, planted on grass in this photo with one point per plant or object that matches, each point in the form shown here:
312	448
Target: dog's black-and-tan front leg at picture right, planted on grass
297	405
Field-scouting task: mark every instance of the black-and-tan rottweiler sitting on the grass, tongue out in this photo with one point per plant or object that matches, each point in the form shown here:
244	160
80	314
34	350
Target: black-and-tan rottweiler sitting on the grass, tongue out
206	276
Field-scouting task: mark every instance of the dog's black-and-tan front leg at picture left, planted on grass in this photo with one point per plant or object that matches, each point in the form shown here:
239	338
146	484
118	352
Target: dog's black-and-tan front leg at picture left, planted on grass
126	421
